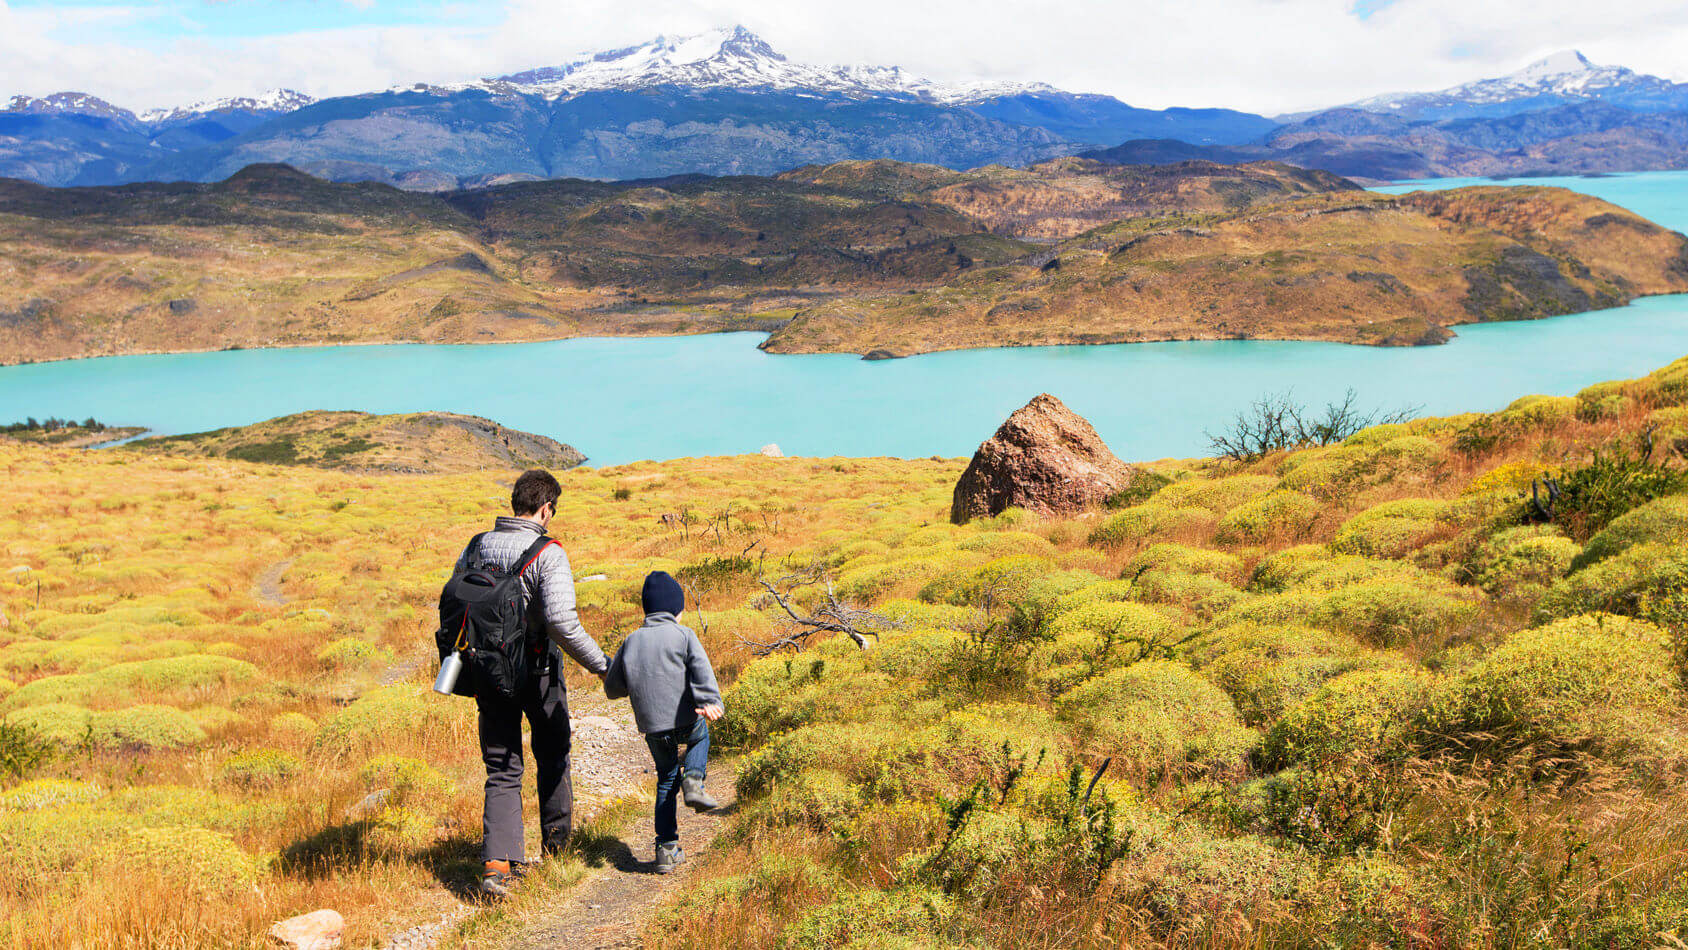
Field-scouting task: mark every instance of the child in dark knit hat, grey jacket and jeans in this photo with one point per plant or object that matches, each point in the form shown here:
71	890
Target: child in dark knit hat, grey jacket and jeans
666	674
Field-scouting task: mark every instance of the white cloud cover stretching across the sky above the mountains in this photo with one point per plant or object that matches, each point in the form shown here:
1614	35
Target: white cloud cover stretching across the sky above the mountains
1257	55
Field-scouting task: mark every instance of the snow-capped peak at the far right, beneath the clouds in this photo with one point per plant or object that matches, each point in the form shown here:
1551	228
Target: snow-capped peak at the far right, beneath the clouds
1564	78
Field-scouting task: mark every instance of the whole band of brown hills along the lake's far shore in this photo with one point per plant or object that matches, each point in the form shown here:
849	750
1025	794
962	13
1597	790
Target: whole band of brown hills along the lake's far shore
848	257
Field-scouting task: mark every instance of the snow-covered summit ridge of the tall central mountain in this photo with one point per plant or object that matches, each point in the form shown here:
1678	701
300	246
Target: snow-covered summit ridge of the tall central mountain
732	60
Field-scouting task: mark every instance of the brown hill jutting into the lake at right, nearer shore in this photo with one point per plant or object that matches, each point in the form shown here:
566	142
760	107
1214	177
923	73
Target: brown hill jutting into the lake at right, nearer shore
1353	267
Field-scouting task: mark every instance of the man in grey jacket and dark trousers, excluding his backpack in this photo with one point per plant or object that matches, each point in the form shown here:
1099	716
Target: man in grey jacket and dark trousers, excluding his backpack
551	622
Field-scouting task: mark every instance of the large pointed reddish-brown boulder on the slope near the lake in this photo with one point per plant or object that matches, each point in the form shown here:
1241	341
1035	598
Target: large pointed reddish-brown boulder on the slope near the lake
1046	460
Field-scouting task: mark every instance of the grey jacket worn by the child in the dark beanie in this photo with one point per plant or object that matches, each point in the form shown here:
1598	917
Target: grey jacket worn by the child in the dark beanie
664	671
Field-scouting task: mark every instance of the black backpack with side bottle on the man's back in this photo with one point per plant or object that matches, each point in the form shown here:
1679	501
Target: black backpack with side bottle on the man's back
484	615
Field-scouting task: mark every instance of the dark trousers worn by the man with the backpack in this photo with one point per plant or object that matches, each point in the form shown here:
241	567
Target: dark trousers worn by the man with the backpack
546	708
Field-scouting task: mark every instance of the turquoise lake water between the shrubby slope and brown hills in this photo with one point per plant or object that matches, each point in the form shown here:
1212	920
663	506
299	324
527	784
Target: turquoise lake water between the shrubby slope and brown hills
659	399
